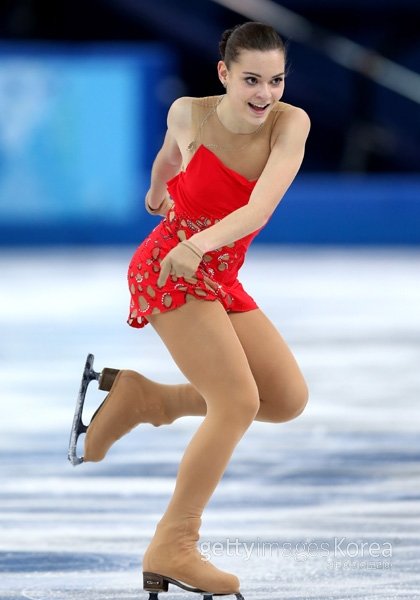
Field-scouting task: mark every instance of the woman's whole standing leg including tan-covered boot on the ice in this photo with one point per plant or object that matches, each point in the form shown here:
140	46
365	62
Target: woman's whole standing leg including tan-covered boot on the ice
204	344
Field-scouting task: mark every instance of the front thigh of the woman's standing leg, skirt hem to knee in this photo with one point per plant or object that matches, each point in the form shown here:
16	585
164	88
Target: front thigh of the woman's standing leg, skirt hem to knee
204	344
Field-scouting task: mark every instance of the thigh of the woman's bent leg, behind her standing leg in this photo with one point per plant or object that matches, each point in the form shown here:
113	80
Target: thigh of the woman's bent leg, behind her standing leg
282	389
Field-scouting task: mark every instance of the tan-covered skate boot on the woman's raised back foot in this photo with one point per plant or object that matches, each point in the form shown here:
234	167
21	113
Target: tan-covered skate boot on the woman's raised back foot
132	400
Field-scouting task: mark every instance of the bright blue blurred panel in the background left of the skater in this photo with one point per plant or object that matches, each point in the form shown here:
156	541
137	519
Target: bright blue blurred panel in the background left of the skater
78	132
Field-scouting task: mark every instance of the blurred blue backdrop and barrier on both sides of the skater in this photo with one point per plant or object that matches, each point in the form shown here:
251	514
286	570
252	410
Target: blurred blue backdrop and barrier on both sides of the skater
79	129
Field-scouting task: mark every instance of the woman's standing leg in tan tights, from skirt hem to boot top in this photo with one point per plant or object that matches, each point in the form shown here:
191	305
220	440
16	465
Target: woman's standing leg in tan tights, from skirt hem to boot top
204	345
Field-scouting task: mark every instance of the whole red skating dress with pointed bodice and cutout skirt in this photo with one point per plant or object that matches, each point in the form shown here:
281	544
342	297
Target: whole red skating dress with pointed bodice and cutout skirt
204	193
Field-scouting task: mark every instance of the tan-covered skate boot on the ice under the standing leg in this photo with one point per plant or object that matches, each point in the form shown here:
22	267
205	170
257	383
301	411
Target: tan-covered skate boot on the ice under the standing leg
172	557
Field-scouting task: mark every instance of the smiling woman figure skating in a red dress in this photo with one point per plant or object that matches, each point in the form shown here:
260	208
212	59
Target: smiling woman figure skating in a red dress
224	166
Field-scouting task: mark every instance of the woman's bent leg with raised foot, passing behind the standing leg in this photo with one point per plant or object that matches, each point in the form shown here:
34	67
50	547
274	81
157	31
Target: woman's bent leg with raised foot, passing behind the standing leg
136	399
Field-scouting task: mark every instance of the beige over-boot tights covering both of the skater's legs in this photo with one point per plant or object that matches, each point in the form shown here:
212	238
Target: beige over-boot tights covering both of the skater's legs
240	370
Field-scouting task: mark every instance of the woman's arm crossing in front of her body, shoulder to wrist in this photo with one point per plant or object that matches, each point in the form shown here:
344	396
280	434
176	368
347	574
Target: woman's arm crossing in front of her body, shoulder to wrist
282	166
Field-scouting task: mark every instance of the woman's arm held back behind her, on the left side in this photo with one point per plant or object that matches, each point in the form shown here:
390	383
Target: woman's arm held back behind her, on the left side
169	159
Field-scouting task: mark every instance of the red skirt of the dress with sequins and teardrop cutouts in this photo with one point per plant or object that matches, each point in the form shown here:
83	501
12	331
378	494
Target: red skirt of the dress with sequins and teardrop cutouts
215	279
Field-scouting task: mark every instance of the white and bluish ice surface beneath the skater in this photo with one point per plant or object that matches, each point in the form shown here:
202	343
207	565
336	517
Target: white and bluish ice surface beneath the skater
324	507
